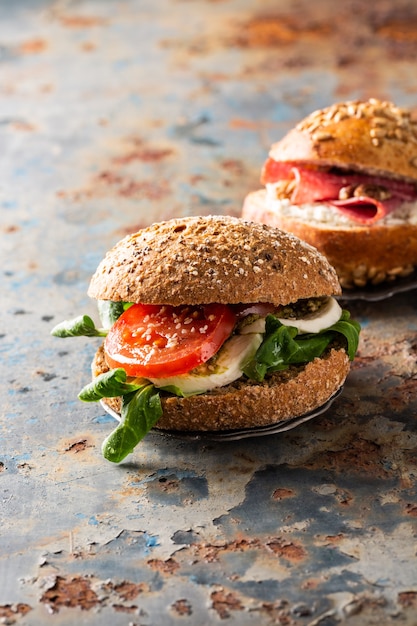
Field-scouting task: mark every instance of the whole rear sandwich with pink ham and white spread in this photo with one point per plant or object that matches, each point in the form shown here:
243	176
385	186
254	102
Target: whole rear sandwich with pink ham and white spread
345	180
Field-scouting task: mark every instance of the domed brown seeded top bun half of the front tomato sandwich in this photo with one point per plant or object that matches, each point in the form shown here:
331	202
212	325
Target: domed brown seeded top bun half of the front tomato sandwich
199	260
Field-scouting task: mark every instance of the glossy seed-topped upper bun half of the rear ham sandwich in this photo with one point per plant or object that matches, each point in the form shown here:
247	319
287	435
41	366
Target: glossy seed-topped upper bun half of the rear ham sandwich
375	137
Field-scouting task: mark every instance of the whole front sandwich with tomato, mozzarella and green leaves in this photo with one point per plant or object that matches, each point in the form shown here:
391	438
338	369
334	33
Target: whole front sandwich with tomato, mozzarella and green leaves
213	324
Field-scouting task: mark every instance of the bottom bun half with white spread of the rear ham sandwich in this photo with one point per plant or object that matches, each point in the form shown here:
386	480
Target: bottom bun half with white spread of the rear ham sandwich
361	255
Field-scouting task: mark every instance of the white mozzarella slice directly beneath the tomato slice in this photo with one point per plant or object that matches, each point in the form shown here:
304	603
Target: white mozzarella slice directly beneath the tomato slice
227	367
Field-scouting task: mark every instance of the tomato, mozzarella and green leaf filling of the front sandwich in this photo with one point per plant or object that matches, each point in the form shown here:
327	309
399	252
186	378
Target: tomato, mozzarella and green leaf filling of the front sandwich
155	350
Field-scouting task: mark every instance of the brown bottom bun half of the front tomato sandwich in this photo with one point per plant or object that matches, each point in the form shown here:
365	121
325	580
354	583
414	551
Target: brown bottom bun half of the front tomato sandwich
248	404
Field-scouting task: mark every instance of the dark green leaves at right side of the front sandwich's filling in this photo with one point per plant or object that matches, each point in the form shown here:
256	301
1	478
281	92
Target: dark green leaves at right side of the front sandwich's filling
282	346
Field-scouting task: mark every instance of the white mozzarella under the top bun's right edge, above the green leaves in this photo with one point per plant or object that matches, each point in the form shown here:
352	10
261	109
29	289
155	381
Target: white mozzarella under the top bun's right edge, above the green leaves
315	322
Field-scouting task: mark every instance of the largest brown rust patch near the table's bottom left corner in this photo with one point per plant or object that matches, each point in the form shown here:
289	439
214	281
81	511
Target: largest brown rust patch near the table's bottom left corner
70	591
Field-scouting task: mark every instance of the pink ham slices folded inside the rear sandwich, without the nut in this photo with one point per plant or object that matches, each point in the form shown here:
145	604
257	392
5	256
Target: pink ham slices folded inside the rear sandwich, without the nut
314	185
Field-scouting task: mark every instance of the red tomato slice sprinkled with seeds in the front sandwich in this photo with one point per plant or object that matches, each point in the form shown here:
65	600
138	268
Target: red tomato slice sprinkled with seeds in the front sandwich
160	341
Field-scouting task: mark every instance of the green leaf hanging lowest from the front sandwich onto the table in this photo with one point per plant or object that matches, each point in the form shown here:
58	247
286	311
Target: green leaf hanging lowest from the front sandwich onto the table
140	412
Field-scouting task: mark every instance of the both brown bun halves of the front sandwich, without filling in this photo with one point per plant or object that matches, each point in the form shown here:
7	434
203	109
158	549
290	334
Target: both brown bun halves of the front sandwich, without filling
226	260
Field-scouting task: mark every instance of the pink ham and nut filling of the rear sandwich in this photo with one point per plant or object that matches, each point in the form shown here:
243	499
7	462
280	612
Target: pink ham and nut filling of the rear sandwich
360	198
